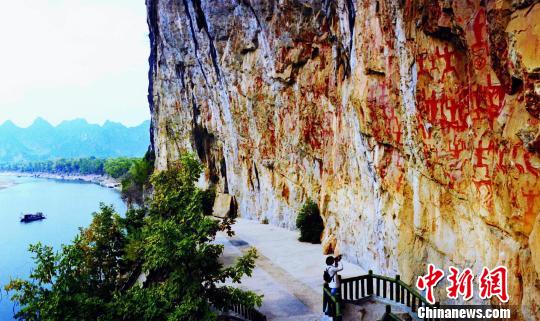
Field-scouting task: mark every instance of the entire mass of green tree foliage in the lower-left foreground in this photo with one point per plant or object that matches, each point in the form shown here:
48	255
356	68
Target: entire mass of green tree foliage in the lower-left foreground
169	242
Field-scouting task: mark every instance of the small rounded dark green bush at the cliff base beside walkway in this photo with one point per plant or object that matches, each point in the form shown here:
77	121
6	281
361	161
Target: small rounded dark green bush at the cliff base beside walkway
310	223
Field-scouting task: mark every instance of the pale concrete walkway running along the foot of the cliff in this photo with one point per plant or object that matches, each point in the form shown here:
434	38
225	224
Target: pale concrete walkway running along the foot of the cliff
288	273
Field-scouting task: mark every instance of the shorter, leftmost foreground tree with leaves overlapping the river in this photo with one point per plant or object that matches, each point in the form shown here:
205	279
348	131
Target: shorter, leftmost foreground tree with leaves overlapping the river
78	282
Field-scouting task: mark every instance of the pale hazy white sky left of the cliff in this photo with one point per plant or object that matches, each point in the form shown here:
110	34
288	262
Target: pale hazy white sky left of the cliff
65	59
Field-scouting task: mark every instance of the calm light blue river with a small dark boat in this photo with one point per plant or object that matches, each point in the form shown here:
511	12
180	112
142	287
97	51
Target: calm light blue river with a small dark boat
67	206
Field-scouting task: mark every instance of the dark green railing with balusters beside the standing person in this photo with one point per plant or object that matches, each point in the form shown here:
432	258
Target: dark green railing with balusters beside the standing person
357	288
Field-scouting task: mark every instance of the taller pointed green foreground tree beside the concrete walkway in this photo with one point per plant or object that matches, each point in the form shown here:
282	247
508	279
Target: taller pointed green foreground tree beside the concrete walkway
181	261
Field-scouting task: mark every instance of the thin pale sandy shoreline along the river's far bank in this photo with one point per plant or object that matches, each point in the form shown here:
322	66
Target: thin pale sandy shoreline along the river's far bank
104	181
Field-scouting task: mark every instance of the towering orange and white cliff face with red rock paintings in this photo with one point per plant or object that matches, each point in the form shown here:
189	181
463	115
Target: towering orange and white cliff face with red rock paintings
414	124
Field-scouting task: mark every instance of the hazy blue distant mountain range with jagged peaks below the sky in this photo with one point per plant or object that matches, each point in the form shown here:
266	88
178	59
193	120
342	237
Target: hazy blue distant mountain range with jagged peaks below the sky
71	139
